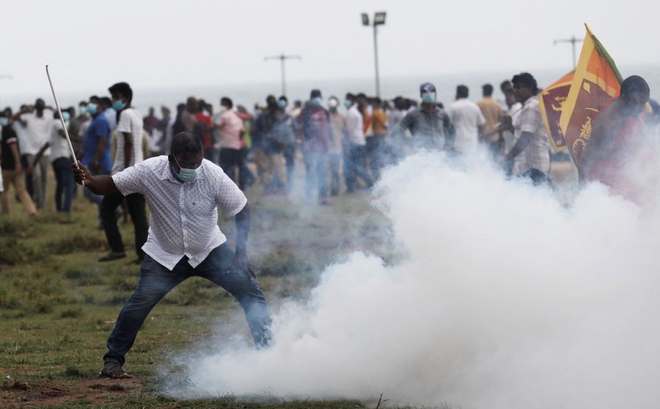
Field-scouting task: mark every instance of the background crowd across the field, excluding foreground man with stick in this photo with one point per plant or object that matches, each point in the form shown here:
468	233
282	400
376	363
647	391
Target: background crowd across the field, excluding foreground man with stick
342	144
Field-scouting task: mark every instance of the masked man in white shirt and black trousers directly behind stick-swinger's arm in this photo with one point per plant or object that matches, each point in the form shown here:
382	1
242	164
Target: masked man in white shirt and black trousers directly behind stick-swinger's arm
128	153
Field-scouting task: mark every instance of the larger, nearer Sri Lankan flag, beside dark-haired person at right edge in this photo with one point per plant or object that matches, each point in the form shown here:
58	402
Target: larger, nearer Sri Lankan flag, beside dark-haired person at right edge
595	84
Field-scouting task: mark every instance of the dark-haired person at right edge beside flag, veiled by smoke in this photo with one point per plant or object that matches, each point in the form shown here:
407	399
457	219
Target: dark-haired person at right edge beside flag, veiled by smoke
619	152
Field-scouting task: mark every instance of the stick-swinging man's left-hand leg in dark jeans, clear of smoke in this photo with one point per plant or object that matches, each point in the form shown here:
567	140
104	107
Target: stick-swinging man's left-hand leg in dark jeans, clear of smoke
155	282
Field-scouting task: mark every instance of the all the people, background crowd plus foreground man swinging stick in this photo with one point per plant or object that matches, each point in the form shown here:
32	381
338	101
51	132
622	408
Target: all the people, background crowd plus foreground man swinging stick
186	166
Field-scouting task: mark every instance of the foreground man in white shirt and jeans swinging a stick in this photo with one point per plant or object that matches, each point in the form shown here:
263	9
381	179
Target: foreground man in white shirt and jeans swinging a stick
184	191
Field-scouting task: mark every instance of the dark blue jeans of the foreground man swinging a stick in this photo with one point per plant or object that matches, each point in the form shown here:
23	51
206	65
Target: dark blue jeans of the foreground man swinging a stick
156	281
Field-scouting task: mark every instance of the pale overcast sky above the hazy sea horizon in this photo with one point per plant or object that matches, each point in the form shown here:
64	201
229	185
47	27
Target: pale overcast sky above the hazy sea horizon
91	44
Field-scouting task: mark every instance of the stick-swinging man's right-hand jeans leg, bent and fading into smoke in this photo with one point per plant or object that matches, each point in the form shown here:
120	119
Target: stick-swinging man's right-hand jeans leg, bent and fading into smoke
217	268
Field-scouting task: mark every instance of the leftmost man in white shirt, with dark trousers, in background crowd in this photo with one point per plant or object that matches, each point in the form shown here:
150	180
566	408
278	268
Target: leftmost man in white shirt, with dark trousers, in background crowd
39	125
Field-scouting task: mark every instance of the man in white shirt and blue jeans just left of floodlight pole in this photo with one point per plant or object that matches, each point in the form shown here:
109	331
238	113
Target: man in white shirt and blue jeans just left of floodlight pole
355	152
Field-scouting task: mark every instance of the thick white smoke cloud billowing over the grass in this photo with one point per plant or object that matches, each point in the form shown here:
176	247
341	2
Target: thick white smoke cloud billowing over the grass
506	299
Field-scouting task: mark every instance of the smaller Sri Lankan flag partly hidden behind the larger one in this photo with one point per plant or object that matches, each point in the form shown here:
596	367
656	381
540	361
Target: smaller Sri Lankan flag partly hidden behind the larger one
551	102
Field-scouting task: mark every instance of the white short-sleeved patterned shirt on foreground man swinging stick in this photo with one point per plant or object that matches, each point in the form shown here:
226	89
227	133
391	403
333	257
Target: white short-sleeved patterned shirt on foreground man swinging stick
184	216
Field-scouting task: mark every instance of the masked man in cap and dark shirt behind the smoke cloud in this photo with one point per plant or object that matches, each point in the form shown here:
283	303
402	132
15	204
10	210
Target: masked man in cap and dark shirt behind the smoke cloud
428	124
